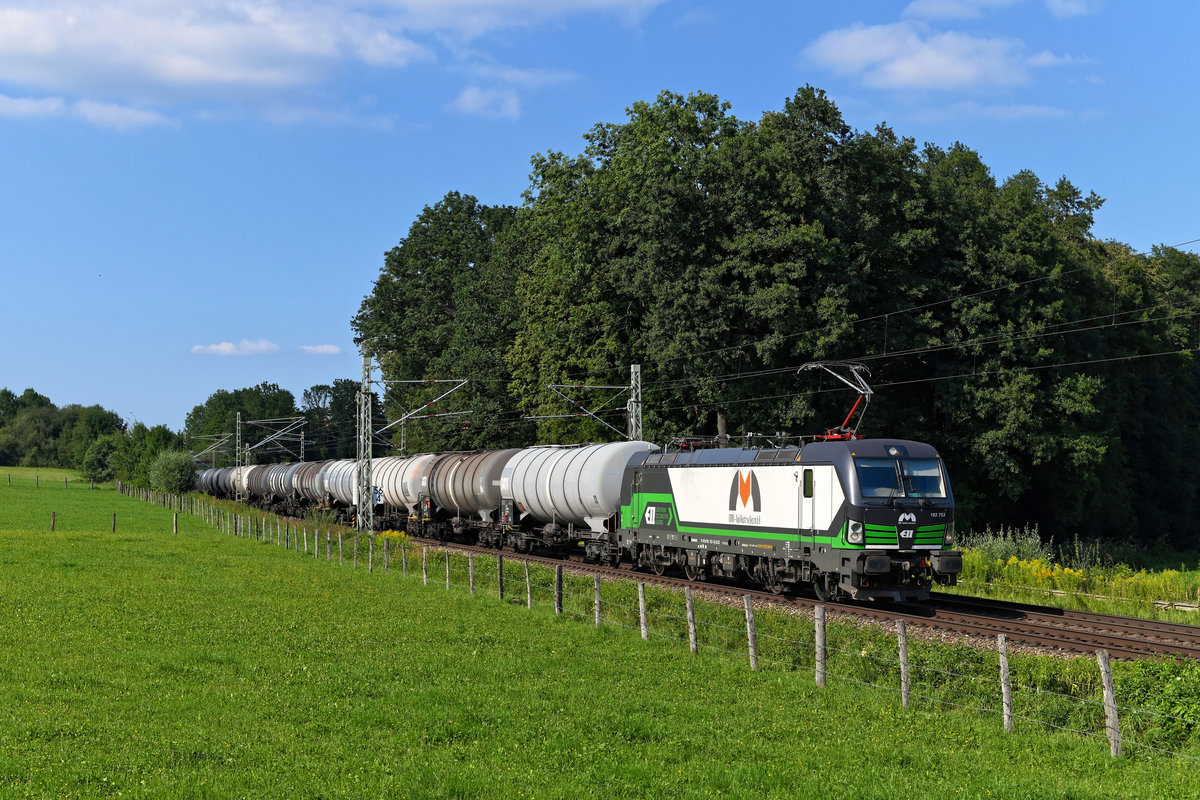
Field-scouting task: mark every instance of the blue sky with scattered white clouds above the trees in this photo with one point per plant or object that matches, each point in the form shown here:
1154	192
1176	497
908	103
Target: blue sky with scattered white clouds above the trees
199	195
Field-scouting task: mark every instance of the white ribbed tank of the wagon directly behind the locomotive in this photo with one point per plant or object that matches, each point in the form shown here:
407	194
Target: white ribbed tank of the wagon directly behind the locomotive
578	485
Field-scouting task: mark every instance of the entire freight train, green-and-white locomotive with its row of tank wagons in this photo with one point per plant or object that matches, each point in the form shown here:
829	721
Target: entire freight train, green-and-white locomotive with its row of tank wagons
853	519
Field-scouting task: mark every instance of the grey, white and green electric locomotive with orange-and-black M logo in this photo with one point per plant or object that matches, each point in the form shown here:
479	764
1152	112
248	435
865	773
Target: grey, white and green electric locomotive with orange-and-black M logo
856	519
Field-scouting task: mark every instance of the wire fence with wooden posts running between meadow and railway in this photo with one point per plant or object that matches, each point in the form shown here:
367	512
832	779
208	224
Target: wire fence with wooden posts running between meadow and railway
1069	695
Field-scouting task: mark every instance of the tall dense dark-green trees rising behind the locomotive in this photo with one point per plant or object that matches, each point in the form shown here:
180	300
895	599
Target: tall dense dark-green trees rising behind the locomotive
1054	371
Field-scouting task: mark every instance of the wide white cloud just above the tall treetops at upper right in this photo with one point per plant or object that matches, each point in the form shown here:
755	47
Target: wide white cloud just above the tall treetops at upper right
901	57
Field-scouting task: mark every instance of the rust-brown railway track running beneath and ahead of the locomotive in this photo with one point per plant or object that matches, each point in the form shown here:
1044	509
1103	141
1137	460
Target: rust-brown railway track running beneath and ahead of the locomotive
1036	627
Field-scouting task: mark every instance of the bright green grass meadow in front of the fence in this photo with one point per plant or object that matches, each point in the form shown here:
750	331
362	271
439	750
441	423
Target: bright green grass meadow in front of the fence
205	666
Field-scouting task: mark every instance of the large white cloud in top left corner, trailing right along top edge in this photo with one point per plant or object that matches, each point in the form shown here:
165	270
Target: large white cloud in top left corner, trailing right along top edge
161	50
